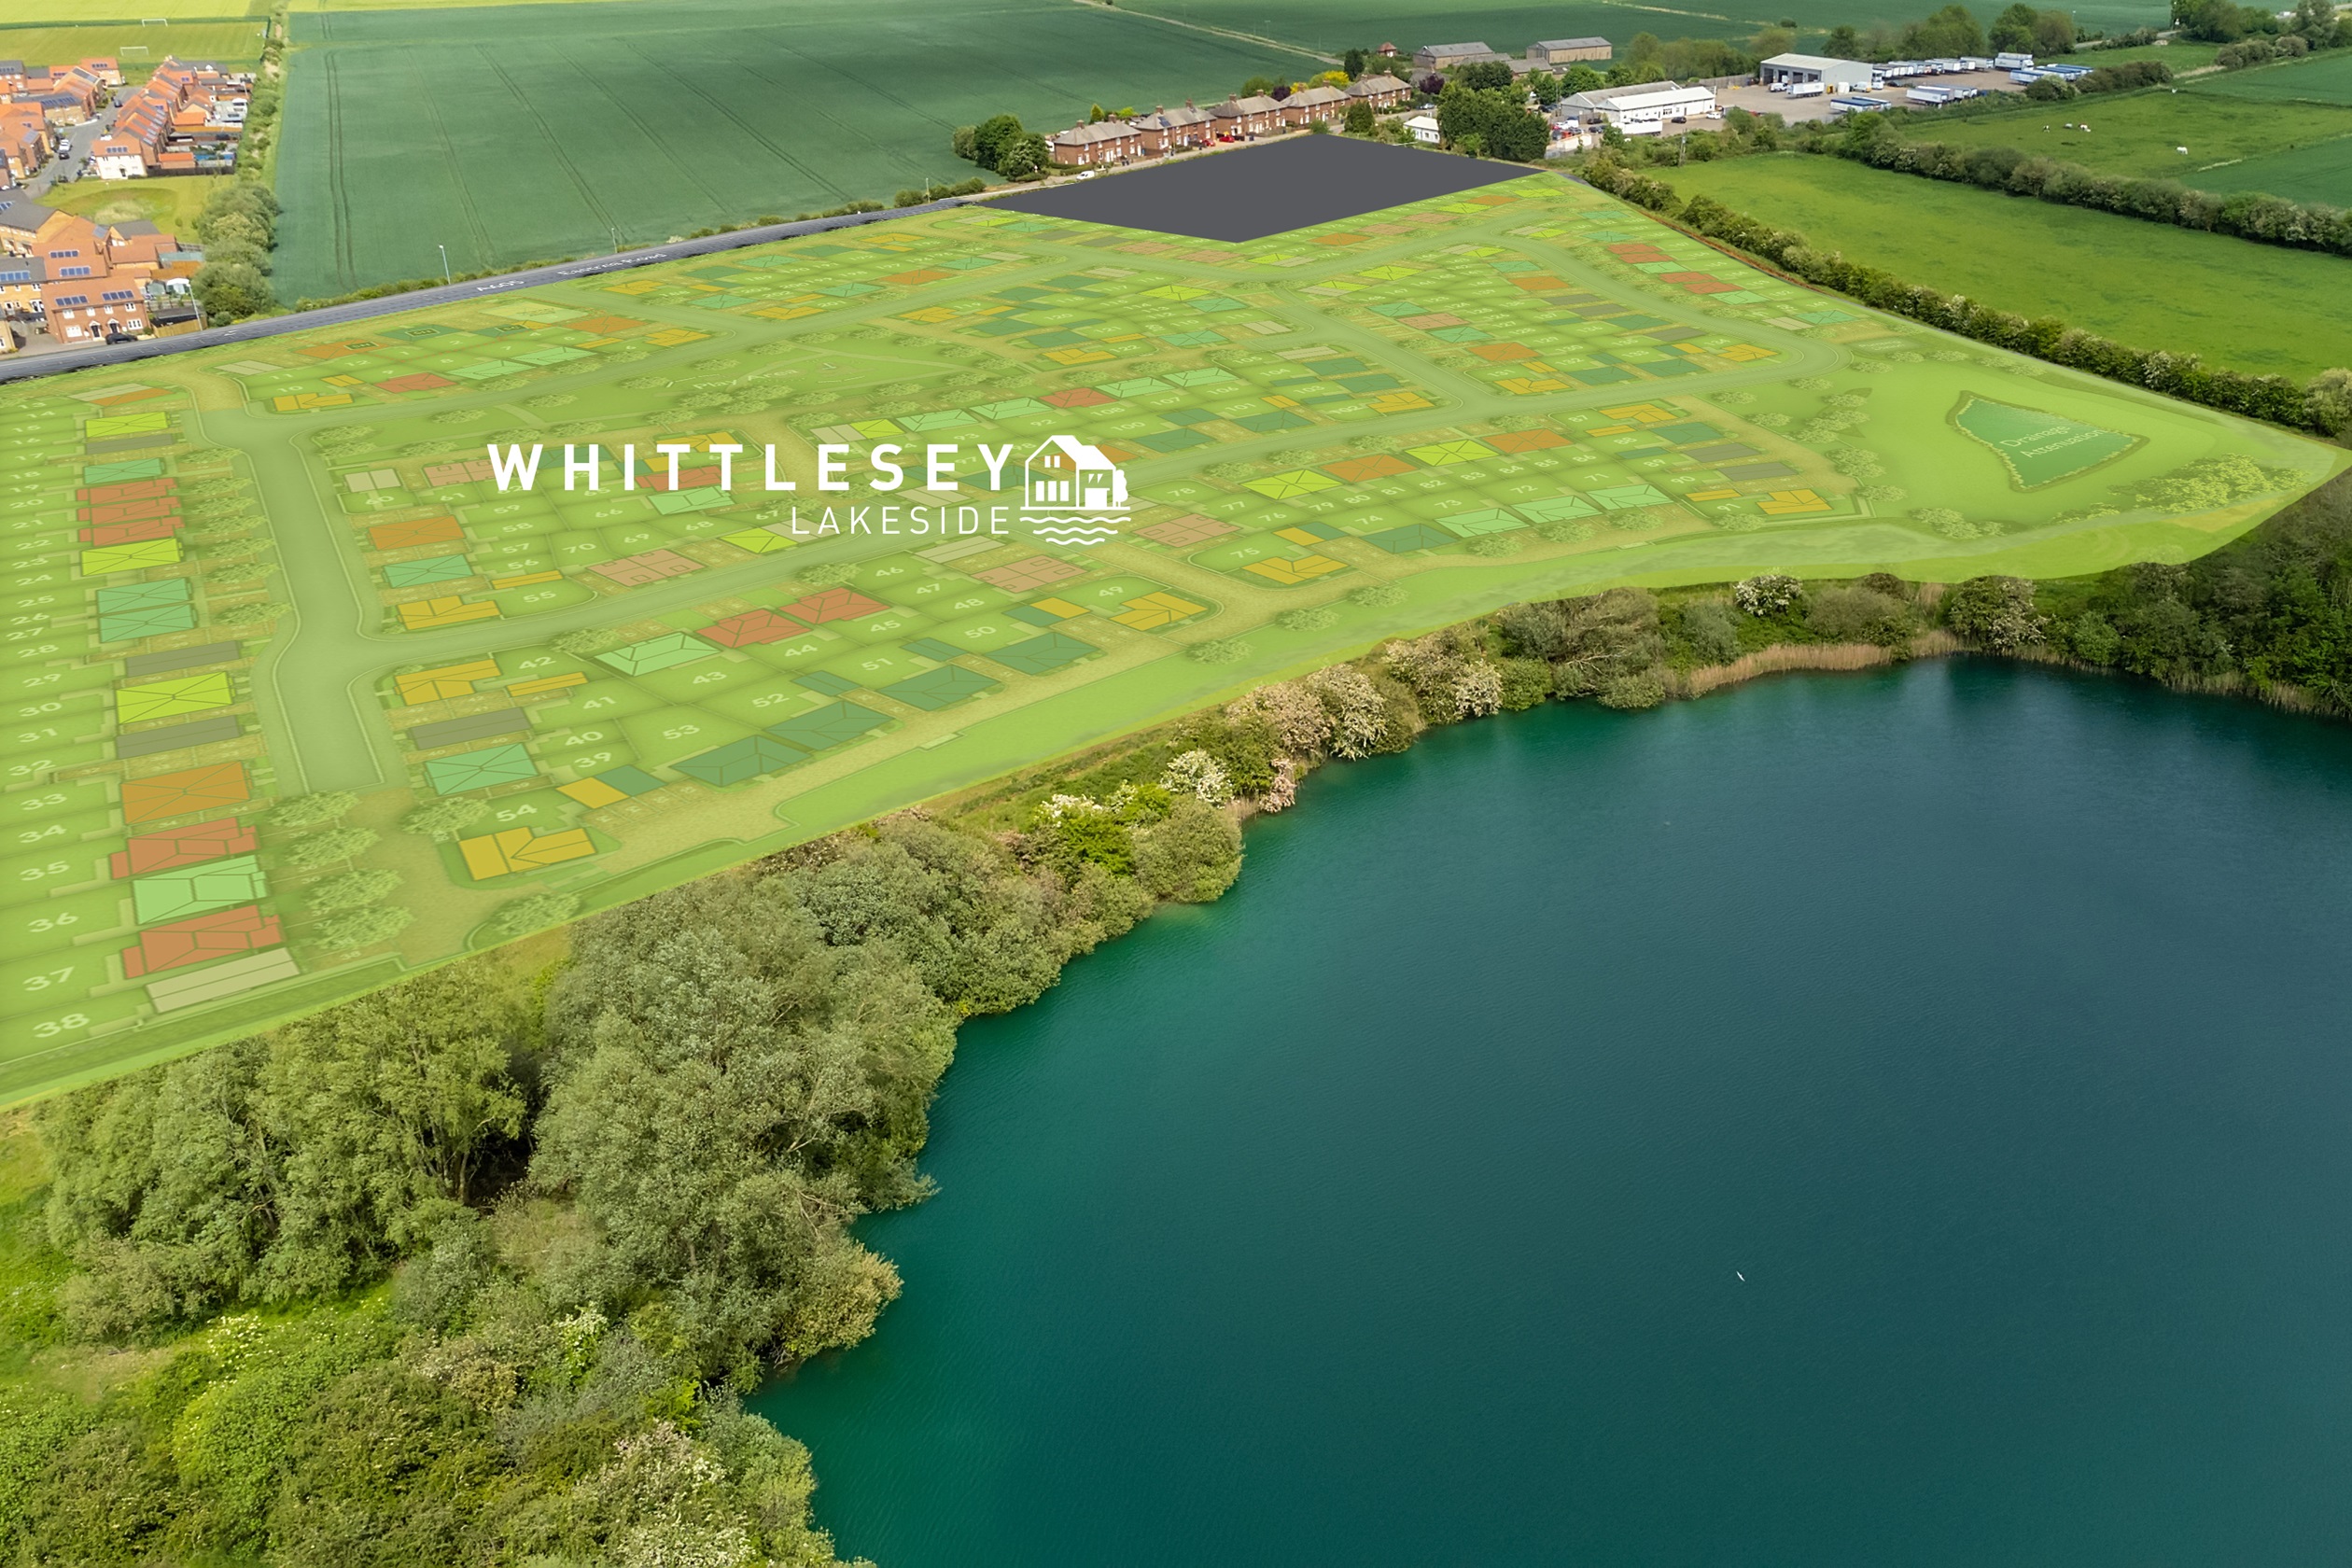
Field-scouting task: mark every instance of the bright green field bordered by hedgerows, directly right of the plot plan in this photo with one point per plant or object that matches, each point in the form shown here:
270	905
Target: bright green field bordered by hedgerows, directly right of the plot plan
2233	302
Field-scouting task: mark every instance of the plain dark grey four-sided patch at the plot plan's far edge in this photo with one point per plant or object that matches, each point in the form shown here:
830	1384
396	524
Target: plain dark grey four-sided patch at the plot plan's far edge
1267	189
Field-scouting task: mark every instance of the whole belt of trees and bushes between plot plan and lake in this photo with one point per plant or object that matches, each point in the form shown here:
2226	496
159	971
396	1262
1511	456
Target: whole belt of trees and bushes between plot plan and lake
479	1268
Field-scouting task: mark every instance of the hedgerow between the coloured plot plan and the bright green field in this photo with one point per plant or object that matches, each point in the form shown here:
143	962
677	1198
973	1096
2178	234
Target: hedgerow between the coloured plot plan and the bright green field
2313	408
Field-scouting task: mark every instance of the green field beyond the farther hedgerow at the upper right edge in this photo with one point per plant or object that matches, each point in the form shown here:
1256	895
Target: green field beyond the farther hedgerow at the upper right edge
2233	145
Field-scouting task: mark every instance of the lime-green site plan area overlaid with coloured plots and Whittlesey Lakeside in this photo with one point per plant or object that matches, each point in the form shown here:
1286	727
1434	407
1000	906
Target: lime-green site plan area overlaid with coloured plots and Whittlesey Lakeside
274	570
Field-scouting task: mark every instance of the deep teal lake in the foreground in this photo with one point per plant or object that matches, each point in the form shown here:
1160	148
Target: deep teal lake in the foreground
1394	1212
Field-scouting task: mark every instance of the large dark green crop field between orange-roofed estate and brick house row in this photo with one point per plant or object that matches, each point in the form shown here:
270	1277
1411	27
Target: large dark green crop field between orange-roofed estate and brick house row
512	140
